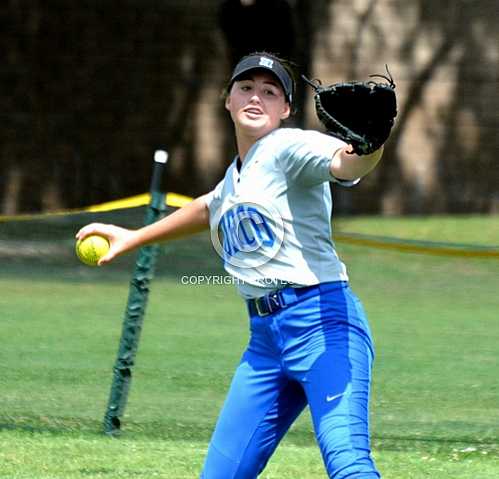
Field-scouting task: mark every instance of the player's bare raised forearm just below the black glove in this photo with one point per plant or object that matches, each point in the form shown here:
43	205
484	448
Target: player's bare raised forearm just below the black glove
350	166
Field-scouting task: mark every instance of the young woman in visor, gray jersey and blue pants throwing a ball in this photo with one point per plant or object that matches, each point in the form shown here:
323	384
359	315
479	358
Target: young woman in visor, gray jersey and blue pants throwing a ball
270	218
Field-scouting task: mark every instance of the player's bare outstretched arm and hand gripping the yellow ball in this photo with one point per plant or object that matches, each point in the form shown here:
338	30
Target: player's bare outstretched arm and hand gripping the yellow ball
190	219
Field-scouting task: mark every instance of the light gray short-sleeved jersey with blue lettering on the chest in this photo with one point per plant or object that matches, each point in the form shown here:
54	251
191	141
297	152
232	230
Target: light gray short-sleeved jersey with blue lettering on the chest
271	221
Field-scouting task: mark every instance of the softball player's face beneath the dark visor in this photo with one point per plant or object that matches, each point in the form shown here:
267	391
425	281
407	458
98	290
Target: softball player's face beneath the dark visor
257	104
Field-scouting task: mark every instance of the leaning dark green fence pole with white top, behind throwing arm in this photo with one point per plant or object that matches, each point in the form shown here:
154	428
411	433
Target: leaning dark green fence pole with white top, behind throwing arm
136	306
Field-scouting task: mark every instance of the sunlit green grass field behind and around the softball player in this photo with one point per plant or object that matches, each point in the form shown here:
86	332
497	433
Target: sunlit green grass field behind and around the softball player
435	402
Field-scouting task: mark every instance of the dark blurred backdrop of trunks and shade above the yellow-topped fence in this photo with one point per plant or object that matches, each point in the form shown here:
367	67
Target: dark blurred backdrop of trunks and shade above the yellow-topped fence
89	89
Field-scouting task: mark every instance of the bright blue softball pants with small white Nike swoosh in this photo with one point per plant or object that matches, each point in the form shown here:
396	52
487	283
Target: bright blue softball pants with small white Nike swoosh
317	351
